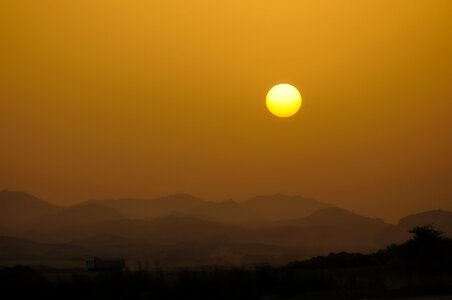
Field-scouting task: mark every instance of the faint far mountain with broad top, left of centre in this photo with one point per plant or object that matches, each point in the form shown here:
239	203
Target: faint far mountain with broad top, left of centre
151	208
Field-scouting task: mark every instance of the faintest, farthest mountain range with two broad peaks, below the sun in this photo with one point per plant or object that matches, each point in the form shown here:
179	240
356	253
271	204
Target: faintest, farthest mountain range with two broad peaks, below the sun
253	211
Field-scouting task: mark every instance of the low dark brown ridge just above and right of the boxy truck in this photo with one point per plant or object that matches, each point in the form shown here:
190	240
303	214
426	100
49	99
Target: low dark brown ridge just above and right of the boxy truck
206	251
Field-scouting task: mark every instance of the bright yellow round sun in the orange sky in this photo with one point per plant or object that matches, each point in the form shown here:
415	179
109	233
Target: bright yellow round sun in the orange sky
283	100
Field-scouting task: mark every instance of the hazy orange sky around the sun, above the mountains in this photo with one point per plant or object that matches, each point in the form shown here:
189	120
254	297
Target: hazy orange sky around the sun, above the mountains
143	98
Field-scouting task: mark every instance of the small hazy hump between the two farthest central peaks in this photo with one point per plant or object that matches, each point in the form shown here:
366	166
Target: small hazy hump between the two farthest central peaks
227	212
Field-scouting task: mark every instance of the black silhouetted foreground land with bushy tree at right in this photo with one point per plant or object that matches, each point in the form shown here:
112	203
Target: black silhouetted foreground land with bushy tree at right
420	266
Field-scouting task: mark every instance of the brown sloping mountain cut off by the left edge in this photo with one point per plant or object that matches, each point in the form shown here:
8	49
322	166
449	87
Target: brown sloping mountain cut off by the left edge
18	207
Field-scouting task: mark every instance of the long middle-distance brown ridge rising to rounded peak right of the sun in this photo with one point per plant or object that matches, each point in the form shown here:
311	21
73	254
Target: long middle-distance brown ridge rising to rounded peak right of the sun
327	230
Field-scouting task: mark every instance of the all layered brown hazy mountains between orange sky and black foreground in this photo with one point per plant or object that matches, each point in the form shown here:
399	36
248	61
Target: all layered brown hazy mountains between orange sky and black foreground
182	230
